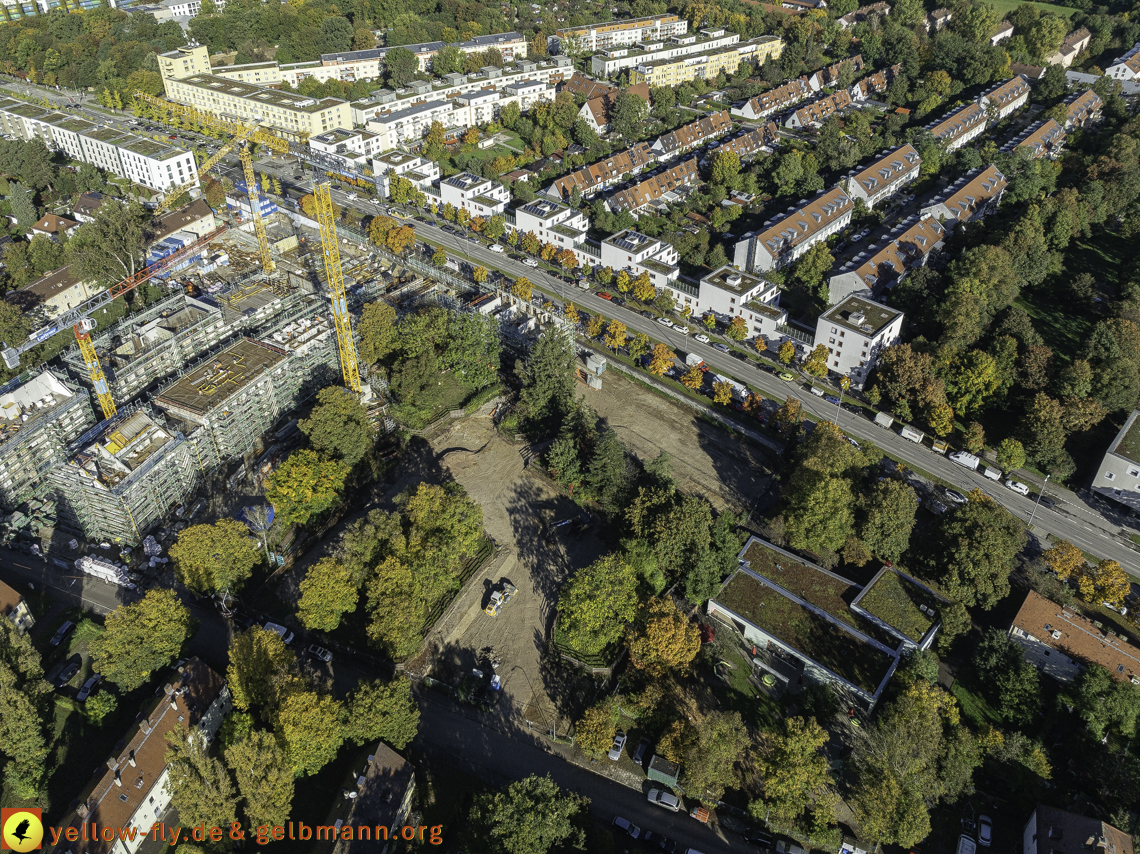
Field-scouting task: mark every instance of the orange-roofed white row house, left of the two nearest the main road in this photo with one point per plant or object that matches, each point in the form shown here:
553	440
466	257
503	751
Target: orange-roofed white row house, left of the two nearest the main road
788	238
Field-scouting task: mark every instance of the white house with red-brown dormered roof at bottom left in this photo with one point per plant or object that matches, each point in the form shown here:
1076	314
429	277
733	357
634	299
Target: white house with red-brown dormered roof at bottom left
134	791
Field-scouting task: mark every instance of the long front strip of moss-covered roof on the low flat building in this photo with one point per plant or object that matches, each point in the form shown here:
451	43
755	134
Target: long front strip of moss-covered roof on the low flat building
805	631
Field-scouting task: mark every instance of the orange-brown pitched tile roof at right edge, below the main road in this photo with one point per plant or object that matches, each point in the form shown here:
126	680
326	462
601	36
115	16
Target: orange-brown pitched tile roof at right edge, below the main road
1077	637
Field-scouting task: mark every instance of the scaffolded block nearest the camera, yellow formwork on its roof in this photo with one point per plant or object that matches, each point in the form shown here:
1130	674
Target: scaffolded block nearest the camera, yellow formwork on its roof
126	476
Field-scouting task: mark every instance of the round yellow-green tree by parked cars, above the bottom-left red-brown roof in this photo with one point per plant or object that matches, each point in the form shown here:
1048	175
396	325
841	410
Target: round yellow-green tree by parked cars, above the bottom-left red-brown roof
141	639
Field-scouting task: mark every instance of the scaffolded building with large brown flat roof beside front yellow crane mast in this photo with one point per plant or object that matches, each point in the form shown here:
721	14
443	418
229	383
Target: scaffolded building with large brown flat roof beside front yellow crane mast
240	393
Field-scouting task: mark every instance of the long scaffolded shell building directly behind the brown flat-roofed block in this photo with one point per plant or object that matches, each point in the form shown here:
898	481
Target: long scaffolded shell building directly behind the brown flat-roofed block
143	349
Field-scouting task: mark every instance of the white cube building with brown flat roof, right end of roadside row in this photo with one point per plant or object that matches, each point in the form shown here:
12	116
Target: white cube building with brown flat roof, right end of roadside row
856	332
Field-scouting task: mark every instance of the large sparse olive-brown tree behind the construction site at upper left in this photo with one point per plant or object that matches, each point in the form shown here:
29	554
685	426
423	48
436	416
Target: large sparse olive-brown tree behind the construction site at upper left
112	247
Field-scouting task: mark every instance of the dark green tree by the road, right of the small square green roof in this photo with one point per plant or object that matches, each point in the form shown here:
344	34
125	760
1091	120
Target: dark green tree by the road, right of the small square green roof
976	548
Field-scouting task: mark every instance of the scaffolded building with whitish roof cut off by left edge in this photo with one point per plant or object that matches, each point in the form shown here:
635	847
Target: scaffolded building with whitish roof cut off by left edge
40	413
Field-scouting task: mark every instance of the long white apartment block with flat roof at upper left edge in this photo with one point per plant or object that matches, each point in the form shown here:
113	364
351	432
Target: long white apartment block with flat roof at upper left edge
149	164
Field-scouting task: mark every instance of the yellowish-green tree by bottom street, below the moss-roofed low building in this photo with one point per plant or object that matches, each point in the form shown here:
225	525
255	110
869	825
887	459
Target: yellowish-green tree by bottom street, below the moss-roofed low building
796	774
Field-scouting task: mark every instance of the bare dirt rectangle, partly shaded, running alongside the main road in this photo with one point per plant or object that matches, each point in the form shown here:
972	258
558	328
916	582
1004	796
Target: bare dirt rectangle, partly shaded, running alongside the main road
705	460
